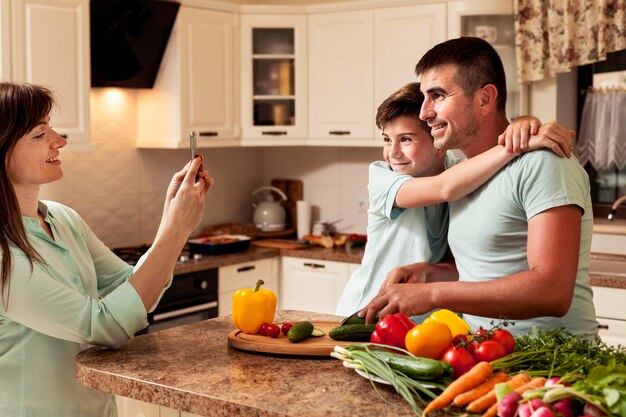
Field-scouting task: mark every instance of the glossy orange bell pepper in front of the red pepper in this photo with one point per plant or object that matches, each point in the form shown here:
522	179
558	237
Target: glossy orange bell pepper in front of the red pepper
428	340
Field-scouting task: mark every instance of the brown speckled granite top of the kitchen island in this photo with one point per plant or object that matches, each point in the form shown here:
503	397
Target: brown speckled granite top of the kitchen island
191	368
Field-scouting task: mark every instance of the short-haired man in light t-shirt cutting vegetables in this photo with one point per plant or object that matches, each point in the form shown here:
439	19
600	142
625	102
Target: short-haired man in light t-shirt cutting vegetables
521	242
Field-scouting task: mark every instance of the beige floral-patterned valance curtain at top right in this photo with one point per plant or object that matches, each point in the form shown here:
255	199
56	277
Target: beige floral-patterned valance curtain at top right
553	36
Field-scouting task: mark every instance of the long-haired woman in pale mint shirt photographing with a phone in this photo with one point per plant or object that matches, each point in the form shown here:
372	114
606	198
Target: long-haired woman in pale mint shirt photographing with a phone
62	288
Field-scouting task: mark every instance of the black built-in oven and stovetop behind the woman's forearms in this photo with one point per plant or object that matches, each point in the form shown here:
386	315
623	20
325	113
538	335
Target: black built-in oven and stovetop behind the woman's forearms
192	296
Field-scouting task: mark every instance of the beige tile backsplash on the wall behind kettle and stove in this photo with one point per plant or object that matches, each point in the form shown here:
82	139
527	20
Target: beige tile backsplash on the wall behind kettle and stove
119	189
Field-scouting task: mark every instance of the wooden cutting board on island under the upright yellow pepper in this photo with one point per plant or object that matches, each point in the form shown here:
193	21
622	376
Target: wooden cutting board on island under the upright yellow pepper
313	346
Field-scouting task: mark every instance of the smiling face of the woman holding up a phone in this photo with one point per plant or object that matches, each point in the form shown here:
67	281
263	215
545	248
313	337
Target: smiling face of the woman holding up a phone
34	160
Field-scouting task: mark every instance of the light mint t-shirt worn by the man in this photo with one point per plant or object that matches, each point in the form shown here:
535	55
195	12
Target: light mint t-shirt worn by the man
489	231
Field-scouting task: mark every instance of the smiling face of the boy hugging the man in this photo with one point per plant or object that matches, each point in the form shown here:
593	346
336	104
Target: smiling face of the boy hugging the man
409	150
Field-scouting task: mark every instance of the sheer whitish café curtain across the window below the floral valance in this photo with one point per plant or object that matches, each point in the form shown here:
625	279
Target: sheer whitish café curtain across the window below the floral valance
602	137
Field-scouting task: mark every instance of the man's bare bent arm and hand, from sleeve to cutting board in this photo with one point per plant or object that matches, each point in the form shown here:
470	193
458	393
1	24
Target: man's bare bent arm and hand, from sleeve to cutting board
545	289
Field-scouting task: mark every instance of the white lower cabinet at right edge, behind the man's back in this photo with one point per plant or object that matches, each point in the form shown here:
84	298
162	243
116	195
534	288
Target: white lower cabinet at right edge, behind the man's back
611	314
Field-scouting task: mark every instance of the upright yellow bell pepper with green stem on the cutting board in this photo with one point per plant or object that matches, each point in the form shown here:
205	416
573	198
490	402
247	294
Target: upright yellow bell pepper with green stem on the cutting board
252	307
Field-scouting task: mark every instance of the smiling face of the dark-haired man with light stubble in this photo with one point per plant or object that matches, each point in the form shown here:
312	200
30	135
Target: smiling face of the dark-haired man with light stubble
447	110
